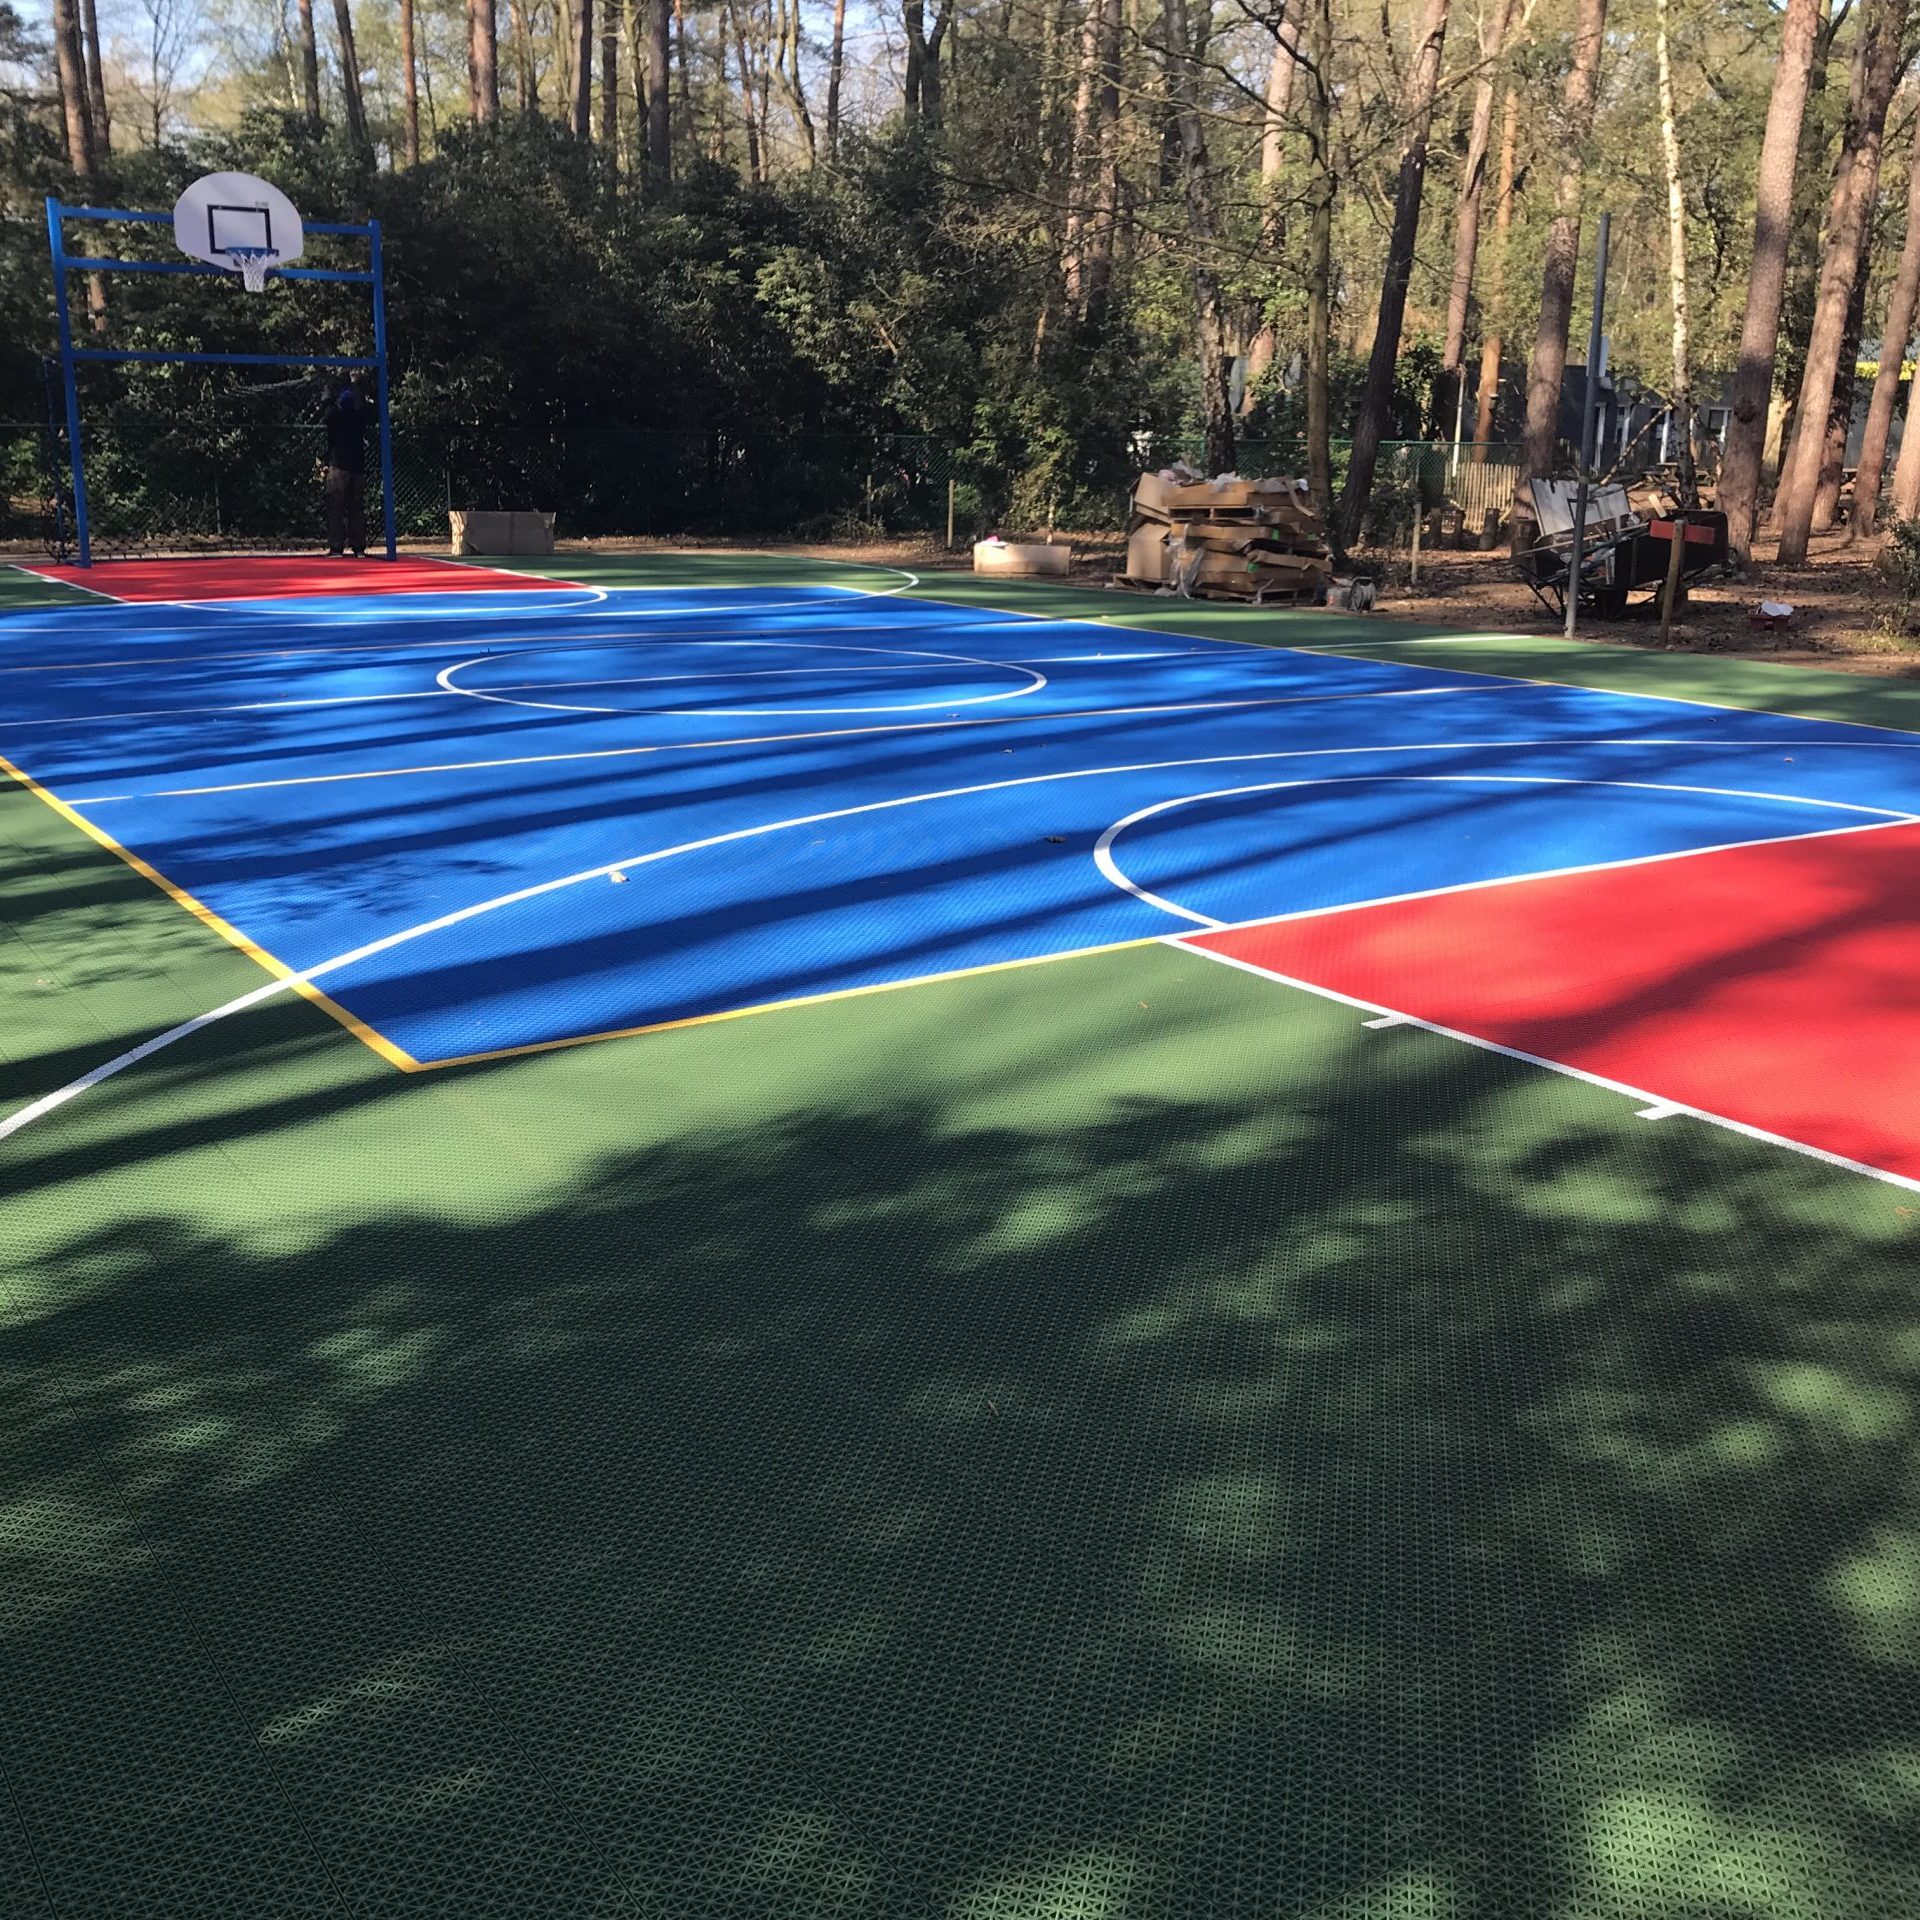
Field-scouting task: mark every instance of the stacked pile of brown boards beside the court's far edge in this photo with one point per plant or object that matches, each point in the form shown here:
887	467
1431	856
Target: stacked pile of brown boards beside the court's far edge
1226	539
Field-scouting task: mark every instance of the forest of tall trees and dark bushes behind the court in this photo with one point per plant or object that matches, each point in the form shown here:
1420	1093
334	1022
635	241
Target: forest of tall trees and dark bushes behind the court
1017	245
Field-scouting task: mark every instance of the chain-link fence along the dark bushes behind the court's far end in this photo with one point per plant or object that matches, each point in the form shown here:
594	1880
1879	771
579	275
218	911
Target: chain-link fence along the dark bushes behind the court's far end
195	483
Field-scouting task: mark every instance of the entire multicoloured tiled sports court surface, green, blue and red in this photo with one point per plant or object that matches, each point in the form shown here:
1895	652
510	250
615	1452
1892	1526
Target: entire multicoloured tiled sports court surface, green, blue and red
1374	1381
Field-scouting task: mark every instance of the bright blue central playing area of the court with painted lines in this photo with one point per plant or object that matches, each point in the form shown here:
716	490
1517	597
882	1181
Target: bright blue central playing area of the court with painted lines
502	821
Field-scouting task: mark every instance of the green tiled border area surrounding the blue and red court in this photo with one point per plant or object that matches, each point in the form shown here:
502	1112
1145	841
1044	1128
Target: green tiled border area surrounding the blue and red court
1097	1439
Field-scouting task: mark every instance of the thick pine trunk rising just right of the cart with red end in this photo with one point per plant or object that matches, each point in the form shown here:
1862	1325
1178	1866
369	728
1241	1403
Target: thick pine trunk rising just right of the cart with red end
1760	337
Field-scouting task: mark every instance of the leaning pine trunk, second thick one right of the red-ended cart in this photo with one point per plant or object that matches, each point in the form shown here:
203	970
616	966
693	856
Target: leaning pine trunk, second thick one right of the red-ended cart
1877	66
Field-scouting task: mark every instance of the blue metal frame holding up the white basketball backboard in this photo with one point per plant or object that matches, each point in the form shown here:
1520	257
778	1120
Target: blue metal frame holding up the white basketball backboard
72	356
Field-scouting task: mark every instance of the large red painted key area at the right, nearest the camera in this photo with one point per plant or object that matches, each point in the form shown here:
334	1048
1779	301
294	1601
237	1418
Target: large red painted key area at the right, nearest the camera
1771	986
